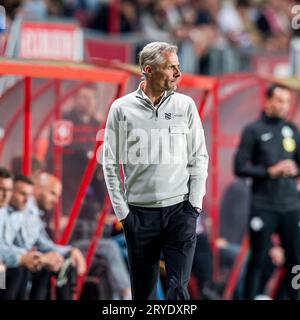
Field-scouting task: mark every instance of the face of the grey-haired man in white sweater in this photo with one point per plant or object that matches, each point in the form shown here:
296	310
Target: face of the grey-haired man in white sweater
164	77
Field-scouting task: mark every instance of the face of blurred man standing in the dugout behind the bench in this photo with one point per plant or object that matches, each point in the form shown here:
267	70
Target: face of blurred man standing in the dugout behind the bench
85	101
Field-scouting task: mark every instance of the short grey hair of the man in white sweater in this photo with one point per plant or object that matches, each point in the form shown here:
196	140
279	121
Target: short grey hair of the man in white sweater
152	53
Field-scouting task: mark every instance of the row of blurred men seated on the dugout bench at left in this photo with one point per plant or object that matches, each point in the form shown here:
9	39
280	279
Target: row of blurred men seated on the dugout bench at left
30	257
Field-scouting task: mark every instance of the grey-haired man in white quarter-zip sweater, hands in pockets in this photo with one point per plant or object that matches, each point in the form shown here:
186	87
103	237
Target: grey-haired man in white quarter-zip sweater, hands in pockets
156	136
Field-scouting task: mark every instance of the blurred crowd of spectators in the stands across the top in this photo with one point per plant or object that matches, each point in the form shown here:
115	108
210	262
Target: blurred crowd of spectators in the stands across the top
245	24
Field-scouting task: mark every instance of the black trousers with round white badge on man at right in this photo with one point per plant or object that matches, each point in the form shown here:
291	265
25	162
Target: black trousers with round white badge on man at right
263	223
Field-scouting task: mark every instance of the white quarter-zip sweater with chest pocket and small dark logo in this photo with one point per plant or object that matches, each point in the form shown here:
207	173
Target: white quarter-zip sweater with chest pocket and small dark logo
161	150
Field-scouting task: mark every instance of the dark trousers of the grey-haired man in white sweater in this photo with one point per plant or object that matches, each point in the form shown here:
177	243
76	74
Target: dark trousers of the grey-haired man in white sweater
150	231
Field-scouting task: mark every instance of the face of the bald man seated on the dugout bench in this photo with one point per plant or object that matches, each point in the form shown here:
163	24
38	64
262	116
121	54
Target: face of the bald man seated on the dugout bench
48	196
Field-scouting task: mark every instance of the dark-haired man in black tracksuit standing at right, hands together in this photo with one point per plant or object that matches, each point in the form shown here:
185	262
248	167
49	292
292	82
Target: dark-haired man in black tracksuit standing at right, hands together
269	153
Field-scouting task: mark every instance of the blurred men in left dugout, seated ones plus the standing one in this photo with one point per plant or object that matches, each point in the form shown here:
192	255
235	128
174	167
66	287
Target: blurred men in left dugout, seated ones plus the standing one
28	235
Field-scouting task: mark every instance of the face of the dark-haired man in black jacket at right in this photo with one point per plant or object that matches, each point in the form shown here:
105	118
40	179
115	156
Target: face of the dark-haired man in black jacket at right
279	104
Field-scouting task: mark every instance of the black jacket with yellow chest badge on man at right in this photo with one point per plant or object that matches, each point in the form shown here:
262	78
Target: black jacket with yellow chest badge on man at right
263	144
